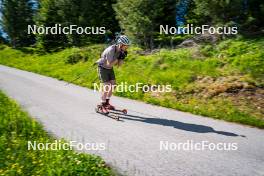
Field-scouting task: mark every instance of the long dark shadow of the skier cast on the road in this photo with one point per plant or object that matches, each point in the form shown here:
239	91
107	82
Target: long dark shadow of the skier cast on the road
176	124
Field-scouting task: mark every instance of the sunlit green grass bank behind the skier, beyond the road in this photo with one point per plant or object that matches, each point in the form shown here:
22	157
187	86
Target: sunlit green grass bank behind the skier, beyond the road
241	59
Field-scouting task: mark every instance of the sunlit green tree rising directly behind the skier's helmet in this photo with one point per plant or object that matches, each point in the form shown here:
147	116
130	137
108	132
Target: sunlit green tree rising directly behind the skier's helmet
141	18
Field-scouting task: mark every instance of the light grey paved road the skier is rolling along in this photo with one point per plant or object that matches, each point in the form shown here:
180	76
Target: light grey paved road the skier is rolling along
133	145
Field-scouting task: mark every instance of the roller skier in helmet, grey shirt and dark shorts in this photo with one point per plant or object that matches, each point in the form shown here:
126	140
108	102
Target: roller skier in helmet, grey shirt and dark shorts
112	55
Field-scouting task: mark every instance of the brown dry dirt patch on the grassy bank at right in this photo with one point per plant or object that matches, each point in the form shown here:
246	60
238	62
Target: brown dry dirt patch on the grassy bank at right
245	96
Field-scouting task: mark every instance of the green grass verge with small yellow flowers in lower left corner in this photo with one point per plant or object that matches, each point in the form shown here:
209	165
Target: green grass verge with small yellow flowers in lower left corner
17	128
